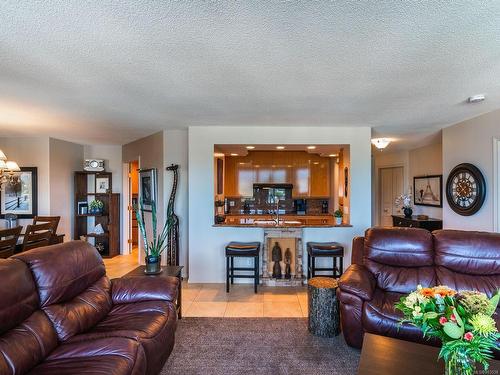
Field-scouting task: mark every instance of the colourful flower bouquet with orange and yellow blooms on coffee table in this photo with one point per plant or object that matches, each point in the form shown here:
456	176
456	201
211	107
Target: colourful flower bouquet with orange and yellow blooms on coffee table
461	320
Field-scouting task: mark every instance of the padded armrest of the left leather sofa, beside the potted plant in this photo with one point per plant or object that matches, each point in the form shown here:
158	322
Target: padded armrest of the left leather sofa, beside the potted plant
144	288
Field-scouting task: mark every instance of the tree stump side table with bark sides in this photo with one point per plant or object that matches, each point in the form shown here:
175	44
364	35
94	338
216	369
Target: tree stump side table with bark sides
324	318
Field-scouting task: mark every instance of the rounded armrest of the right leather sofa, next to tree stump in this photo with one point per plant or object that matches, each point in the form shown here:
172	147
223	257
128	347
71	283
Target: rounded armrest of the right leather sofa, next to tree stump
359	281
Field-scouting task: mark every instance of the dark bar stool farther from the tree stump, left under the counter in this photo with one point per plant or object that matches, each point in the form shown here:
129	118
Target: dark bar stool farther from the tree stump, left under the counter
242	249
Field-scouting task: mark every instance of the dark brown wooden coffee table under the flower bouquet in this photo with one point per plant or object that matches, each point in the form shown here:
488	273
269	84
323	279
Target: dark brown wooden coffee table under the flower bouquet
387	356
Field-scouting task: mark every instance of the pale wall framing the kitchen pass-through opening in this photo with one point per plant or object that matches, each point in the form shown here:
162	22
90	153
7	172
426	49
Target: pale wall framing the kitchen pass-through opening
206	243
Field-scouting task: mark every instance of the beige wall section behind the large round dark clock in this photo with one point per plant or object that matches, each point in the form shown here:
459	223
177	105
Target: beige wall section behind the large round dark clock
471	141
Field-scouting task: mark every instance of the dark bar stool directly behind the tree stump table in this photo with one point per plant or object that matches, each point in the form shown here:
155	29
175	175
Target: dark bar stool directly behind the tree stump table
325	249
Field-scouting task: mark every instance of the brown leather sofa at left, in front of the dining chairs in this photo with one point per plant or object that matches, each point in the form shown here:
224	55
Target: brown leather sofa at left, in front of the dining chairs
60	314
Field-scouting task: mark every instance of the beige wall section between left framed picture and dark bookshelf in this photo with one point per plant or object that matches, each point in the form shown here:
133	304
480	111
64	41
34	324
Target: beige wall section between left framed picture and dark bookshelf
64	159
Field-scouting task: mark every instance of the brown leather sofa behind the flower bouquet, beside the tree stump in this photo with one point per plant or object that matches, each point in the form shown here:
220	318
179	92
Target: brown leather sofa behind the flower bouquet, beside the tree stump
390	262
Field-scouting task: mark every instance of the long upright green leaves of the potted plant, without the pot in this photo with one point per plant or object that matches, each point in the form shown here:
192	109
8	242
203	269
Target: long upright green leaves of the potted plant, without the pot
158	243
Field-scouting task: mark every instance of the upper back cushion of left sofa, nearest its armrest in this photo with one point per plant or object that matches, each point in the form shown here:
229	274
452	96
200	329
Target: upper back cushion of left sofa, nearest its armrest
63	271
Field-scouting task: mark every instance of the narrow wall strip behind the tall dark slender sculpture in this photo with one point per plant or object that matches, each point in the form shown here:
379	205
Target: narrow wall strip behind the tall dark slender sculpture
175	148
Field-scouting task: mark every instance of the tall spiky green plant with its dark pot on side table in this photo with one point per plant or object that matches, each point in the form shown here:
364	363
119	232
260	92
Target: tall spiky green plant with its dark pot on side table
152	248
